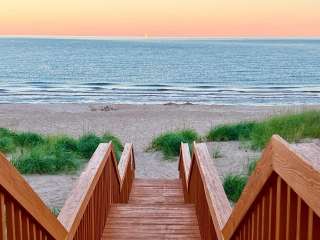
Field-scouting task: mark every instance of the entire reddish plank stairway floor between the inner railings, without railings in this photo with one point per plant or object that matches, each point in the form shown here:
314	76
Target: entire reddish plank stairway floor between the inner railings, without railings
155	210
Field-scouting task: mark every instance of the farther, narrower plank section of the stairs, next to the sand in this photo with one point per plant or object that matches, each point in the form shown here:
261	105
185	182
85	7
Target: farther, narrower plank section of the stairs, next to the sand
156	191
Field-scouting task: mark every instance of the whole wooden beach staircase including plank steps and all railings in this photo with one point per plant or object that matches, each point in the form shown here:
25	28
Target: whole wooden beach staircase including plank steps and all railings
280	200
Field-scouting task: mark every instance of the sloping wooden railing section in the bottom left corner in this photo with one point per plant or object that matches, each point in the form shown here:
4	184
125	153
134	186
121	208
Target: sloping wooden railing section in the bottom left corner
23	215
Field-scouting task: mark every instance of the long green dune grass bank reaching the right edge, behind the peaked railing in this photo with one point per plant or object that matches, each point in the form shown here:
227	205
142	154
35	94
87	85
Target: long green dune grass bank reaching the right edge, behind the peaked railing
292	127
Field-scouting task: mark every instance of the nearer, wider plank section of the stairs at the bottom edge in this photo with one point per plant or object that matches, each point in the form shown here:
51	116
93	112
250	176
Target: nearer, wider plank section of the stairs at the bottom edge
156	221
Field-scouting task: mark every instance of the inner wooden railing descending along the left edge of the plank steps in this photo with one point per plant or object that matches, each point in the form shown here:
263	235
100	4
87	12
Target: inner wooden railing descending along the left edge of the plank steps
85	212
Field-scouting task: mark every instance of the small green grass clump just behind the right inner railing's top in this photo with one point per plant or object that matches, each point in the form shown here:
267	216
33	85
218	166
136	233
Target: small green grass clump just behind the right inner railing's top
169	143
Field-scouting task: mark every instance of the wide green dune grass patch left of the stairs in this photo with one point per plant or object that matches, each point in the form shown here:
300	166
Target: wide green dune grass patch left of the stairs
33	153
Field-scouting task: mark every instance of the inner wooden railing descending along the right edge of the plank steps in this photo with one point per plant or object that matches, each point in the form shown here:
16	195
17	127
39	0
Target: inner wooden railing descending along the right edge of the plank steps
203	187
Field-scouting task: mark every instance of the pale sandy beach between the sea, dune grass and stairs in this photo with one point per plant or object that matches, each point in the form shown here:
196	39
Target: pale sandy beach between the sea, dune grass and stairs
138	124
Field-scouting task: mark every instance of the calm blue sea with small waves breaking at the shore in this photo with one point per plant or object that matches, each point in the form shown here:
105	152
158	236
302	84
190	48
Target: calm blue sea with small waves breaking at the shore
257	72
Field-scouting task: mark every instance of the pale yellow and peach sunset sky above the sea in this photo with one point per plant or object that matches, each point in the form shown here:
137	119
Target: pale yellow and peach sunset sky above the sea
161	18
